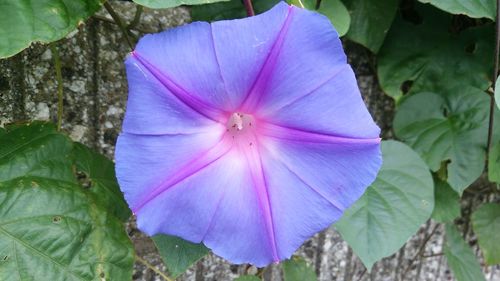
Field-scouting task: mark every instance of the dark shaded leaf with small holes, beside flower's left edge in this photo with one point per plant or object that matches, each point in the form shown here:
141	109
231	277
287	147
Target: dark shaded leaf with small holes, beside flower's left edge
97	174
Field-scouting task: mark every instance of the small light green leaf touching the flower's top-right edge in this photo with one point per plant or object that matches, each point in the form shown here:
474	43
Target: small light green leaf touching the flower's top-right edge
334	9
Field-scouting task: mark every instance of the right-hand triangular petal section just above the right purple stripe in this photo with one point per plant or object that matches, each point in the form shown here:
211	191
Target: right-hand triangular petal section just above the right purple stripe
335	108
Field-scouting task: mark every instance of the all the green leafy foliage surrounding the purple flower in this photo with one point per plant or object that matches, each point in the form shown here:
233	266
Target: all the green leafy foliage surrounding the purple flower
61	211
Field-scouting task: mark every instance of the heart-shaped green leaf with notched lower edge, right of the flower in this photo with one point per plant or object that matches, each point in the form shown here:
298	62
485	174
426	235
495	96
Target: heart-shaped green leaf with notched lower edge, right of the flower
450	127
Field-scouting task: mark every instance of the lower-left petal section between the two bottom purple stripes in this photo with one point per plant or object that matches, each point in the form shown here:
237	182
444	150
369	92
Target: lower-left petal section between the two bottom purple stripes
219	206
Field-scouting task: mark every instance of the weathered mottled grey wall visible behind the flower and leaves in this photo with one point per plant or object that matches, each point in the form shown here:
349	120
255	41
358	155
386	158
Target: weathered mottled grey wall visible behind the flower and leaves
95	92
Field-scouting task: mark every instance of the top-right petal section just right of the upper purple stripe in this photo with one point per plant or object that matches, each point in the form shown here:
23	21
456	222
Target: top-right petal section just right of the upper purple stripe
310	54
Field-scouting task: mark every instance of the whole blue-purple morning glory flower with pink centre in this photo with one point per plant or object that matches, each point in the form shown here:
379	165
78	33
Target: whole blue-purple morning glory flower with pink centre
248	135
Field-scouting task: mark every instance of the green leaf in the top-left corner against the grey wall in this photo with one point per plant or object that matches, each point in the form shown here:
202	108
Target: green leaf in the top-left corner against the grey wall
23	22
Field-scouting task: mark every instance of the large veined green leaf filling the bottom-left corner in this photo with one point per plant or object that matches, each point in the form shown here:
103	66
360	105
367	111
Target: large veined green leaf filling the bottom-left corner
51	230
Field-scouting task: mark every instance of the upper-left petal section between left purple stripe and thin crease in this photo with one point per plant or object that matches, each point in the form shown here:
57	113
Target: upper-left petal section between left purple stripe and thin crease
183	59
